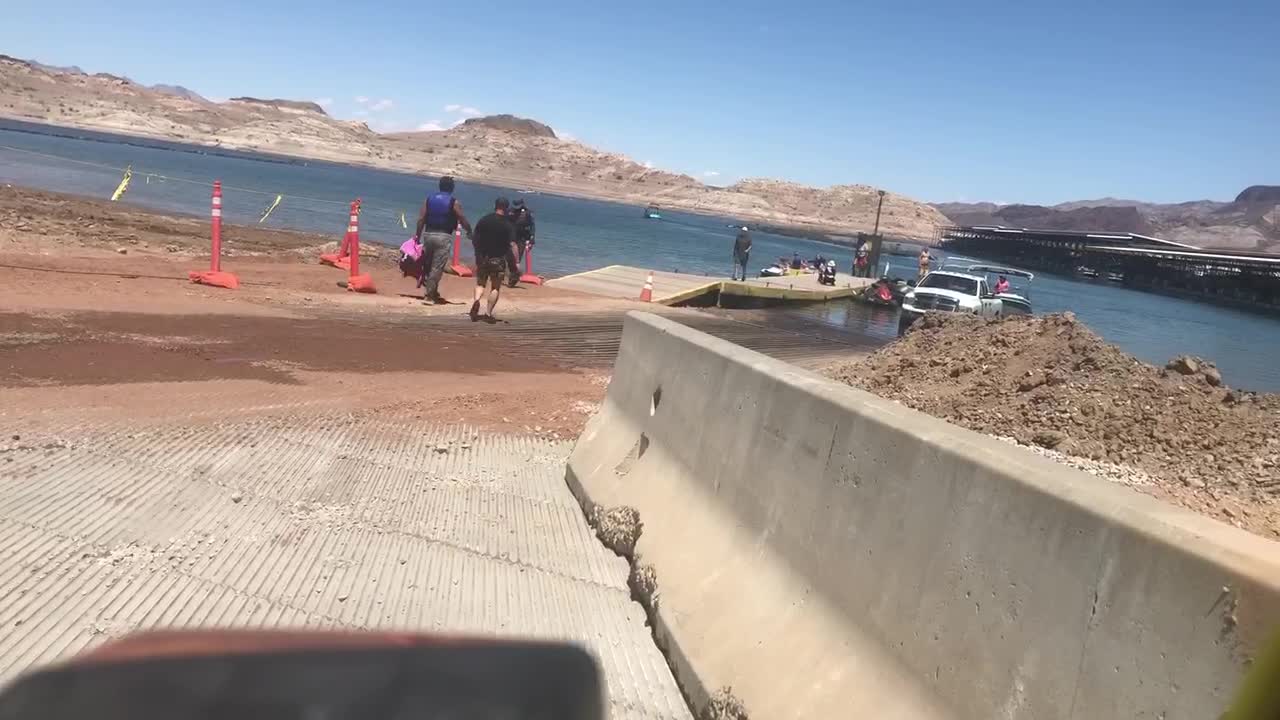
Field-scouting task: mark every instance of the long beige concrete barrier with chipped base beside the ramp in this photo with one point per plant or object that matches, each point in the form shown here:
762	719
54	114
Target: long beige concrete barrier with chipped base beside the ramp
830	554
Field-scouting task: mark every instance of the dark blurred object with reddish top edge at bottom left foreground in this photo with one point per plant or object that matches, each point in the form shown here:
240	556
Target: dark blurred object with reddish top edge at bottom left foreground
243	675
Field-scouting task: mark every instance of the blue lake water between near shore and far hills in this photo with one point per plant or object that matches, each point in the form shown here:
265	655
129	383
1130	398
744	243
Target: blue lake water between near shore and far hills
582	235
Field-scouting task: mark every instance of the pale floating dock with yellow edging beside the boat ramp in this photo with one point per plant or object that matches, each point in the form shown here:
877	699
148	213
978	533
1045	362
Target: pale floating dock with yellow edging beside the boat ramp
687	289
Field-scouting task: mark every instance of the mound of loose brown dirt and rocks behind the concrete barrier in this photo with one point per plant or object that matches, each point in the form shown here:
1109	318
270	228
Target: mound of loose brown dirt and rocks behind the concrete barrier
1052	382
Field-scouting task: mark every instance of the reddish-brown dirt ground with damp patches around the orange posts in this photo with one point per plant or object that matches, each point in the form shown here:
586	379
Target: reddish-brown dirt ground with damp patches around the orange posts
86	330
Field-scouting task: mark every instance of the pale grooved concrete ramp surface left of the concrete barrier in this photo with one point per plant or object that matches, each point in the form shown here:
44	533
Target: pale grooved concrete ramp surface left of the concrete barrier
321	521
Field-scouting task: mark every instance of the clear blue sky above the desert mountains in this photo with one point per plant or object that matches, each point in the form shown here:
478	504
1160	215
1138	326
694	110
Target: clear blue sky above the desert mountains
1027	102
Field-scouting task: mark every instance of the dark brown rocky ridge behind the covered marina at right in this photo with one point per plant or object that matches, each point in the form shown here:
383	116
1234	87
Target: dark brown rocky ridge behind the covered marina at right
1249	224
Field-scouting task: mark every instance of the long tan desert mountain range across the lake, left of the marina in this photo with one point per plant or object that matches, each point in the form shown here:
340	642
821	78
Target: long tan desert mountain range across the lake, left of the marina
500	151
